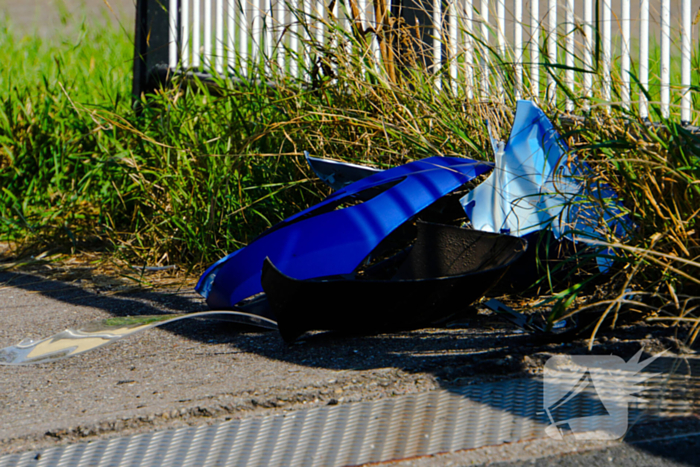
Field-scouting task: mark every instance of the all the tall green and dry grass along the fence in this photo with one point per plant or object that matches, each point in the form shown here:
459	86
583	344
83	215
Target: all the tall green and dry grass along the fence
197	175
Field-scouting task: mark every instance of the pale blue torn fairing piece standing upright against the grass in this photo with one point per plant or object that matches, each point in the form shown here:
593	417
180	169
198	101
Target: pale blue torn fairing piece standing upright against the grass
538	184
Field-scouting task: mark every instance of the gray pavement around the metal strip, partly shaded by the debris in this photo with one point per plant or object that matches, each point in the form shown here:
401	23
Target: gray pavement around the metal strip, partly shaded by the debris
203	372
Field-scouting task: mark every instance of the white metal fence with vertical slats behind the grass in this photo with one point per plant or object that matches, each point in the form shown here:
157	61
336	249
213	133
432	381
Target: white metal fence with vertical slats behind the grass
613	50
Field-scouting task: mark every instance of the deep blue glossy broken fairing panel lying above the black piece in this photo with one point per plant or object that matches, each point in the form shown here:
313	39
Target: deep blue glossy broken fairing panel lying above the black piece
324	241
